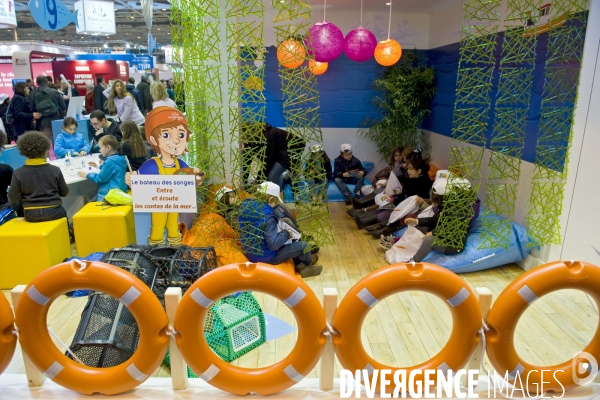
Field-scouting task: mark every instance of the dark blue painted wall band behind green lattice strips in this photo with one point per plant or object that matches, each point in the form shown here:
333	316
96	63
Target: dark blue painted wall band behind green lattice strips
346	92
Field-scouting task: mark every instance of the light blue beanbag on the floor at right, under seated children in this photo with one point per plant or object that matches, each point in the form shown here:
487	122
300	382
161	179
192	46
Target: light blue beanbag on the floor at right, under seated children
473	259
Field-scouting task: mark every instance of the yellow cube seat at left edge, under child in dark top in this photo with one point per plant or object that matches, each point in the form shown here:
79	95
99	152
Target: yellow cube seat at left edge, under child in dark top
29	248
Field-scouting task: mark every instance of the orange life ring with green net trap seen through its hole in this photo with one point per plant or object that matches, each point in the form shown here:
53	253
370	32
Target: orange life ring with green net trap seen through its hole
189	323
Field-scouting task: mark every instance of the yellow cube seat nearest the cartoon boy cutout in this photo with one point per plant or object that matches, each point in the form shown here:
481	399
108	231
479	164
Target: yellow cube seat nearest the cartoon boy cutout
99	228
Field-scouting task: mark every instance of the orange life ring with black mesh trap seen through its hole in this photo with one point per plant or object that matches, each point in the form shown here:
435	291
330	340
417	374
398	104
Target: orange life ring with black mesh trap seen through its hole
32	312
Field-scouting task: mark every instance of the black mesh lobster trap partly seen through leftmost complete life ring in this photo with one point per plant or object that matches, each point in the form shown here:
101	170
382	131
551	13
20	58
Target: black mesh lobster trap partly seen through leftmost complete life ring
107	334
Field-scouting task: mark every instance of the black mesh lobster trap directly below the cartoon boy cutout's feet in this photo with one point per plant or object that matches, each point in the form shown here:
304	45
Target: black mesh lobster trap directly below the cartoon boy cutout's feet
180	266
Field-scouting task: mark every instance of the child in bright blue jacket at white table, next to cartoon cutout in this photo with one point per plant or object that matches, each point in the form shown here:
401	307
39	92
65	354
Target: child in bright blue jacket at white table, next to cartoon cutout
112	171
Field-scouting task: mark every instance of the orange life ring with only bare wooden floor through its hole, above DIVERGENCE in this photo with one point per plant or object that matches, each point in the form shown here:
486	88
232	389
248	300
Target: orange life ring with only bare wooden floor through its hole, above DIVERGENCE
395	278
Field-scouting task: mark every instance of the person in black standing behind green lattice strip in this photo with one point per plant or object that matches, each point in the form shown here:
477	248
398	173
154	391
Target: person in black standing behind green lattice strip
274	141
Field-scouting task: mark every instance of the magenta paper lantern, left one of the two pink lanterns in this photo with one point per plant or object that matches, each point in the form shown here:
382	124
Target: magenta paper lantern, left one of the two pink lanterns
326	42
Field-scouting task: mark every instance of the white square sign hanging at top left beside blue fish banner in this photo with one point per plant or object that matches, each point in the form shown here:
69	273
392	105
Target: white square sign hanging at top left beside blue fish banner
96	17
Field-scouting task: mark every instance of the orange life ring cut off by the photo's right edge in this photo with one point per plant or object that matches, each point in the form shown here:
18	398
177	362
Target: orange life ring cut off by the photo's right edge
513	302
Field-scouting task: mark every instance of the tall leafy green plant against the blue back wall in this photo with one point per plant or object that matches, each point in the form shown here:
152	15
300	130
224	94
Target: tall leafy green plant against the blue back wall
406	91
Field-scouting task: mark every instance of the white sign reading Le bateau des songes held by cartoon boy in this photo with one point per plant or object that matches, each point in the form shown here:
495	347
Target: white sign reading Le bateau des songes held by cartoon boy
164	193
